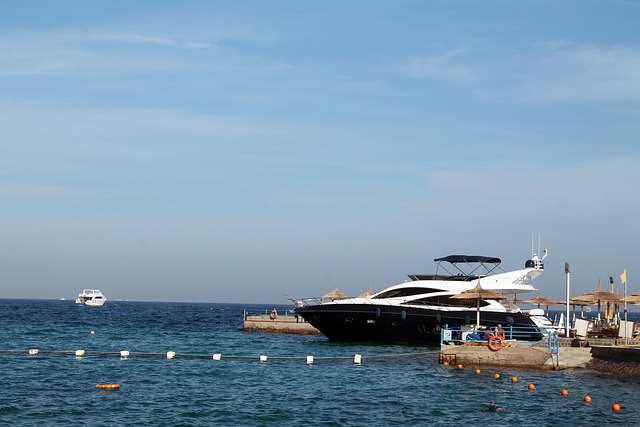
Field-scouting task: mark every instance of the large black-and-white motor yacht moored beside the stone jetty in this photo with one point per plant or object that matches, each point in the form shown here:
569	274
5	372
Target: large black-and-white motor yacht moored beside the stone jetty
416	310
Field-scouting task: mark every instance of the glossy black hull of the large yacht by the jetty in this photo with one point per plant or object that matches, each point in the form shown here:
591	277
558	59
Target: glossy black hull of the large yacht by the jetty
400	324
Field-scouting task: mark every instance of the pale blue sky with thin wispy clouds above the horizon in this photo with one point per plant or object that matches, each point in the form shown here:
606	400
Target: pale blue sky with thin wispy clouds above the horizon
251	151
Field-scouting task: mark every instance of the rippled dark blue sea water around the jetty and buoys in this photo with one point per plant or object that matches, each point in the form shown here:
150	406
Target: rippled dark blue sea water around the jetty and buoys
262	379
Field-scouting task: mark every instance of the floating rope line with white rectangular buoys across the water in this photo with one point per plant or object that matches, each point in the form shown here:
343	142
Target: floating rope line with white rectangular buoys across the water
126	354
